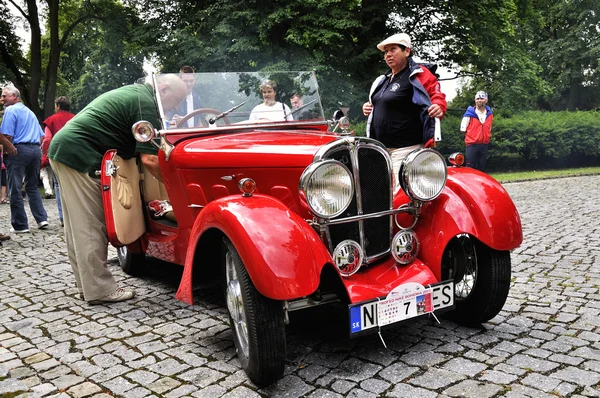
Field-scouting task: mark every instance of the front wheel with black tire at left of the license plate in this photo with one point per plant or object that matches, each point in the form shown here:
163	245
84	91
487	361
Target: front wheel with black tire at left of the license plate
256	321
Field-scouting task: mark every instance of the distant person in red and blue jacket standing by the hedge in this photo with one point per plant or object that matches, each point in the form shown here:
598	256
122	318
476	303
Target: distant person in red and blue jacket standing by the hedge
477	126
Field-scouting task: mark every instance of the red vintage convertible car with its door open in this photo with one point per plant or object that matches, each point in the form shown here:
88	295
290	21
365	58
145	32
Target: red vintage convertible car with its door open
464	233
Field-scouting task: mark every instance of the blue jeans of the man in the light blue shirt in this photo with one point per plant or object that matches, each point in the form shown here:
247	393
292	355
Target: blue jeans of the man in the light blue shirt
24	167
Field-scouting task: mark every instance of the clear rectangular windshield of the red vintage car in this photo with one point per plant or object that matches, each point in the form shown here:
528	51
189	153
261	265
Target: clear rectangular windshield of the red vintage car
215	100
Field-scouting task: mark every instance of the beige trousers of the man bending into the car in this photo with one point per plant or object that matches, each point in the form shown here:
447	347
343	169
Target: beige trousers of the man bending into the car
85	231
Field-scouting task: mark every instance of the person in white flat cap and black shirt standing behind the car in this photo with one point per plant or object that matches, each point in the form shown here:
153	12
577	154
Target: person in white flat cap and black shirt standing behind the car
403	103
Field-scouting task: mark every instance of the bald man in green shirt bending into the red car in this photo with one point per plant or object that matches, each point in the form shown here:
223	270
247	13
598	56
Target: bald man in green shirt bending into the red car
75	154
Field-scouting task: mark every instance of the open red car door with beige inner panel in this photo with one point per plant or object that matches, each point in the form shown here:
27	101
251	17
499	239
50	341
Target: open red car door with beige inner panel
121	196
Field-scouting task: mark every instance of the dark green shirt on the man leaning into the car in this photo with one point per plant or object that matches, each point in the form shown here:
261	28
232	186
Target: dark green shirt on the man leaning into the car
105	124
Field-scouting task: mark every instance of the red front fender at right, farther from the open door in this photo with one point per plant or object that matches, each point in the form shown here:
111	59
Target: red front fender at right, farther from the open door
473	203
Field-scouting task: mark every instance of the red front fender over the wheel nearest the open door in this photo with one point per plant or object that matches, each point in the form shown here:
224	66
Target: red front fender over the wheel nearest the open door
282	253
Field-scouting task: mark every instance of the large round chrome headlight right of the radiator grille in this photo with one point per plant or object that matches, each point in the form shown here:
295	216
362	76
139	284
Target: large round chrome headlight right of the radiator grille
423	174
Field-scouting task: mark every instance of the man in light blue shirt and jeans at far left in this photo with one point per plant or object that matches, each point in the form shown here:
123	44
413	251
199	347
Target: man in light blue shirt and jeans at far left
21	127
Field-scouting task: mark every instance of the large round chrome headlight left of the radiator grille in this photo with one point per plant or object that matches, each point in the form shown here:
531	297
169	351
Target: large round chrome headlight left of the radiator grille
327	187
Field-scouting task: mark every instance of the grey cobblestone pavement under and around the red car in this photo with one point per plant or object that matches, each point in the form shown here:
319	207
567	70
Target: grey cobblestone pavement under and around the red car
545	342
